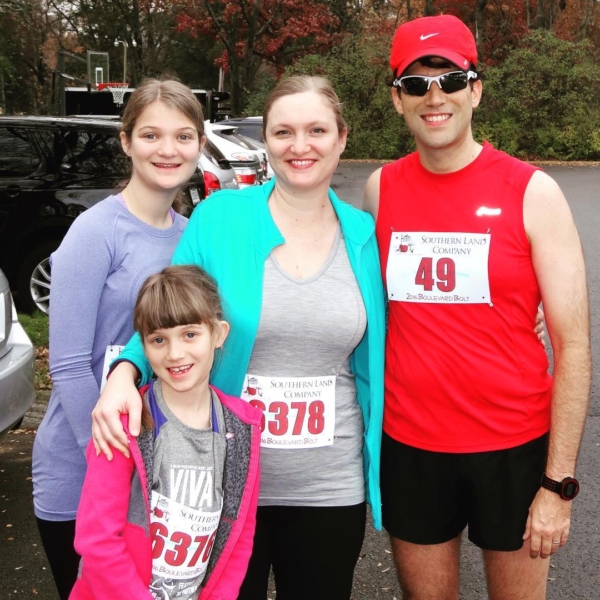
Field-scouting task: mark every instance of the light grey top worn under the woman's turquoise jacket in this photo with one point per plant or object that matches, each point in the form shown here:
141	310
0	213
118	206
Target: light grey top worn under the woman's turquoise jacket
309	328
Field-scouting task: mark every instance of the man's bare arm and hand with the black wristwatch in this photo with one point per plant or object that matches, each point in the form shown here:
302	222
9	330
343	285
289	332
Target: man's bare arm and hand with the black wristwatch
559	266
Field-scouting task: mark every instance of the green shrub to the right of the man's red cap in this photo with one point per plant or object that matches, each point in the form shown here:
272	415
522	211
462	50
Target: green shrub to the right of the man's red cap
543	101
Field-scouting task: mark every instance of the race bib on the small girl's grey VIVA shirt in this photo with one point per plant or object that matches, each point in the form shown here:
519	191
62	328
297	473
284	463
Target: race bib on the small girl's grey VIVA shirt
182	540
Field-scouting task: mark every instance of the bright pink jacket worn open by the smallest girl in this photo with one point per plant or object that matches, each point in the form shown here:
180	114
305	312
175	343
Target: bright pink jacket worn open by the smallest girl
113	538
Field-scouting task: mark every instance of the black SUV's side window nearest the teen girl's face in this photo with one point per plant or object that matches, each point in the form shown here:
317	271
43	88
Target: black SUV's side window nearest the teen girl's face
94	152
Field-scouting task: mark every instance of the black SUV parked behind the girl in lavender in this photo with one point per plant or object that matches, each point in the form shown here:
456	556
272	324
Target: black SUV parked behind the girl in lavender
51	170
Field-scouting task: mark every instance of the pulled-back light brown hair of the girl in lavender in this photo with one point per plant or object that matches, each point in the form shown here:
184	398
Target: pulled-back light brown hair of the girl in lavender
171	93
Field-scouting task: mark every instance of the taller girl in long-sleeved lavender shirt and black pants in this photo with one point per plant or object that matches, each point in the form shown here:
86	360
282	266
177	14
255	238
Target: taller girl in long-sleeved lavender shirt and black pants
96	274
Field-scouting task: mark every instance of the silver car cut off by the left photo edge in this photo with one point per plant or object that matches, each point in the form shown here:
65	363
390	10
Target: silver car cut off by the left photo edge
17	363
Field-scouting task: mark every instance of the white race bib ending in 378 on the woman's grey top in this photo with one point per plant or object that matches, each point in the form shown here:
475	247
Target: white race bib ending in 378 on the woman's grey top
298	412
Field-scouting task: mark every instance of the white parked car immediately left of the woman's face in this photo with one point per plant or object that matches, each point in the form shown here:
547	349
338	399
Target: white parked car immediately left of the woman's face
245	160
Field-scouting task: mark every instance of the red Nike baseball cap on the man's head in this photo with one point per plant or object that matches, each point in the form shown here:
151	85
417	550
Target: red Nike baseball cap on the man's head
445	36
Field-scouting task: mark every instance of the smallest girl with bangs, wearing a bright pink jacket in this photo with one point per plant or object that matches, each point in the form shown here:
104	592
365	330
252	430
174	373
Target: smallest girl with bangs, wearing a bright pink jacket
175	518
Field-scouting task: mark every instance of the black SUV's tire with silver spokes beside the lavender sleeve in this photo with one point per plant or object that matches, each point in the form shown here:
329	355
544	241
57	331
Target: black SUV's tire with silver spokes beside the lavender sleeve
33	283
